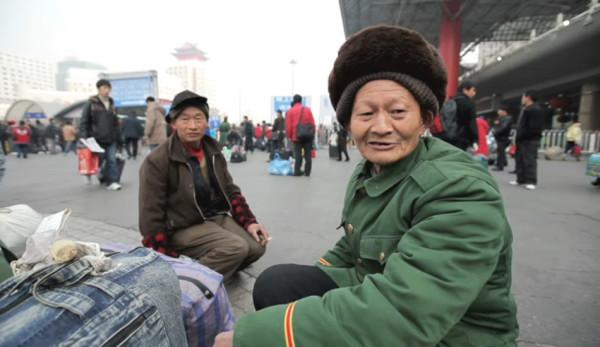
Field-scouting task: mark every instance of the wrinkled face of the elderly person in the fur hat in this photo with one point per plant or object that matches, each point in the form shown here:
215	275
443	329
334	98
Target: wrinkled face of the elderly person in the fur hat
386	122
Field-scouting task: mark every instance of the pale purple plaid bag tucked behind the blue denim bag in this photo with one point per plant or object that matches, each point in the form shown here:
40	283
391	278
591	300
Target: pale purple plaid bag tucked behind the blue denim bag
205	306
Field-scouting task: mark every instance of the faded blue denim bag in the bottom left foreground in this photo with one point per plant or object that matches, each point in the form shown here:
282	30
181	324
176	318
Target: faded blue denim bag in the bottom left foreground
135	303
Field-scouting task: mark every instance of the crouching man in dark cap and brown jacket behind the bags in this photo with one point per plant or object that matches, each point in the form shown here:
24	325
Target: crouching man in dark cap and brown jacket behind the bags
188	202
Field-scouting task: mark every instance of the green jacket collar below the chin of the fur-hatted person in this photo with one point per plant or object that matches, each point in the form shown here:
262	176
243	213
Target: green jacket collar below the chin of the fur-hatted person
389	175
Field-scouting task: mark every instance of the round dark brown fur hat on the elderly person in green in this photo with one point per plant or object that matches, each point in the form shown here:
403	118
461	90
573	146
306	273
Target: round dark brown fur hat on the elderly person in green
392	53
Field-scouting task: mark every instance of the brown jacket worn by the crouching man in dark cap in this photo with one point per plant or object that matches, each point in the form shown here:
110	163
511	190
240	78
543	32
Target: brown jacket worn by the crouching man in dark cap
167	198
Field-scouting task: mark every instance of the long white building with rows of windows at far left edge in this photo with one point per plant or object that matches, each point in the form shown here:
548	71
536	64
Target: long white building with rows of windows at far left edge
18	73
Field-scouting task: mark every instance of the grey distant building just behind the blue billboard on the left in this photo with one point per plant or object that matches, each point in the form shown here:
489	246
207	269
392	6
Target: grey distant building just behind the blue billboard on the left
77	76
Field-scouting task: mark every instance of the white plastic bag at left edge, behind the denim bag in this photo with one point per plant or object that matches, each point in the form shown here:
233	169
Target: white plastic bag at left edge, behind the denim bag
17	223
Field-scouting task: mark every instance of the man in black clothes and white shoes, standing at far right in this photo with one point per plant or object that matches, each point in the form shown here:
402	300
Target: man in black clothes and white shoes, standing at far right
529	132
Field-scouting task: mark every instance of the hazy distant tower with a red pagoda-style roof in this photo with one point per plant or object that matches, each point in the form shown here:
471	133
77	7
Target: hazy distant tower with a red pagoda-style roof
193	68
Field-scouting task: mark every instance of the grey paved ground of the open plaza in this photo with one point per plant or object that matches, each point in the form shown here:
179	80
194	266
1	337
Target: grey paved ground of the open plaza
556	230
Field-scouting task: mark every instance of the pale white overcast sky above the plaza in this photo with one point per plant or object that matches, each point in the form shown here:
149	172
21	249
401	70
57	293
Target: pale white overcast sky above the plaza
249	43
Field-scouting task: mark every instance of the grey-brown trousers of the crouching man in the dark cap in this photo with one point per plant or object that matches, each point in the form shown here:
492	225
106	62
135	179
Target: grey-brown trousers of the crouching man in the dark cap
219	243
